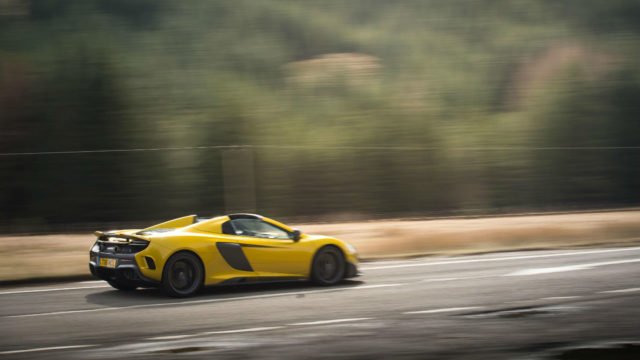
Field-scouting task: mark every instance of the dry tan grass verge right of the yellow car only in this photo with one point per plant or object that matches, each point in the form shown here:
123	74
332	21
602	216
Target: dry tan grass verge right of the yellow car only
454	236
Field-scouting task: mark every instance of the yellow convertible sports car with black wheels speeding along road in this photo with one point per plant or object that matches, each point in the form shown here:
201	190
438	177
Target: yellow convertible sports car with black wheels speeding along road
183	254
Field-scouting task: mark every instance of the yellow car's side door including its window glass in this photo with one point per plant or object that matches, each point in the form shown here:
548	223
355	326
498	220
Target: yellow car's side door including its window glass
270	249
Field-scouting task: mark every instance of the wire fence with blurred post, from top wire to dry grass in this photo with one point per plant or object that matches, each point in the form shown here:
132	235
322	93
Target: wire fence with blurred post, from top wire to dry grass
55	191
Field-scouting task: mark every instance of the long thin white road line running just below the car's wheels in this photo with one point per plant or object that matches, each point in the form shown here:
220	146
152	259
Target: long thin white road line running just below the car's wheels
204	301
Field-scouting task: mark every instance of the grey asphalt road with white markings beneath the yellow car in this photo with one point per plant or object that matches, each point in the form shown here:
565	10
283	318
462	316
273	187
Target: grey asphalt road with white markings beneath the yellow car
565	304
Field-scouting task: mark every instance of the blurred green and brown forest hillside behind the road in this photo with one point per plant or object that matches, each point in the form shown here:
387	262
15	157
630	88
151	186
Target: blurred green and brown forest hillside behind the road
314	109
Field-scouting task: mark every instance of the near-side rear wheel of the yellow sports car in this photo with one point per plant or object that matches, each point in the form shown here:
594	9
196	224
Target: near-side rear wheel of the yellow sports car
182	275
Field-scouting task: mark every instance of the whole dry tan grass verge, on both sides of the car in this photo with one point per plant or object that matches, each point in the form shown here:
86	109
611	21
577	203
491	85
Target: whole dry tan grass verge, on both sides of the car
24	257
